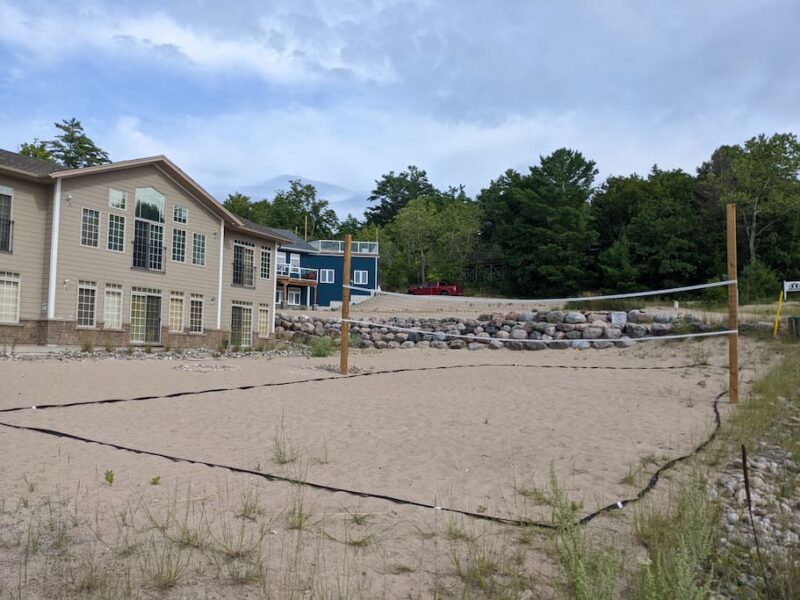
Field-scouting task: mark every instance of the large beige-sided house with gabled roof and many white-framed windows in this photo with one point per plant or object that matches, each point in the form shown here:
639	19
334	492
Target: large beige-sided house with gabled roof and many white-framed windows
133	252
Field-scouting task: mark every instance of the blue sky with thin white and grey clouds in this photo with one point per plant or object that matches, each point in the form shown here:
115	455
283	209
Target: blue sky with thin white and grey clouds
241	94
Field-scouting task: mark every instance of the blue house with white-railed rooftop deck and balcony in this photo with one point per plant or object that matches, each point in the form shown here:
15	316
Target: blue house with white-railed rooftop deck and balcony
310	273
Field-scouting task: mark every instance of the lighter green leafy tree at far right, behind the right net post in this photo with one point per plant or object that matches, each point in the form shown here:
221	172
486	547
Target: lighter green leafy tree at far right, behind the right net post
761	177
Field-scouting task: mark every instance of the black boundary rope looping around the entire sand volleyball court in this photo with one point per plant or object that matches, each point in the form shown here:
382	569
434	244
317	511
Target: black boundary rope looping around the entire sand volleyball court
393	499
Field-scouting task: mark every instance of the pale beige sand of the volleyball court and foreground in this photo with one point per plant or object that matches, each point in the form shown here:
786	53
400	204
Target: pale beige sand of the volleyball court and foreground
470	437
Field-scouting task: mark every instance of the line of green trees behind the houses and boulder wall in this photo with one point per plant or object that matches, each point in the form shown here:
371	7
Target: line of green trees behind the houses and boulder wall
553	229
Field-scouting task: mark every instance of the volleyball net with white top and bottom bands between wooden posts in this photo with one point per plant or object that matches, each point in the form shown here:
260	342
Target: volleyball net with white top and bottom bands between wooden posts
393	319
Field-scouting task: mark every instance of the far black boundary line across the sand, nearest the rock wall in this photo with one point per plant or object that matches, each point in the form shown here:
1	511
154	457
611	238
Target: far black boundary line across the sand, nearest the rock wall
350	376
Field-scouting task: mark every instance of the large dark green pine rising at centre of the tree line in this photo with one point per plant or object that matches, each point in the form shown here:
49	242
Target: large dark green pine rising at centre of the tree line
540	224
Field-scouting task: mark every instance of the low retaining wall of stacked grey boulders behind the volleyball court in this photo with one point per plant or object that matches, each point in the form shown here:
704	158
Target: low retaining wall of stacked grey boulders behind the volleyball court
515	331
